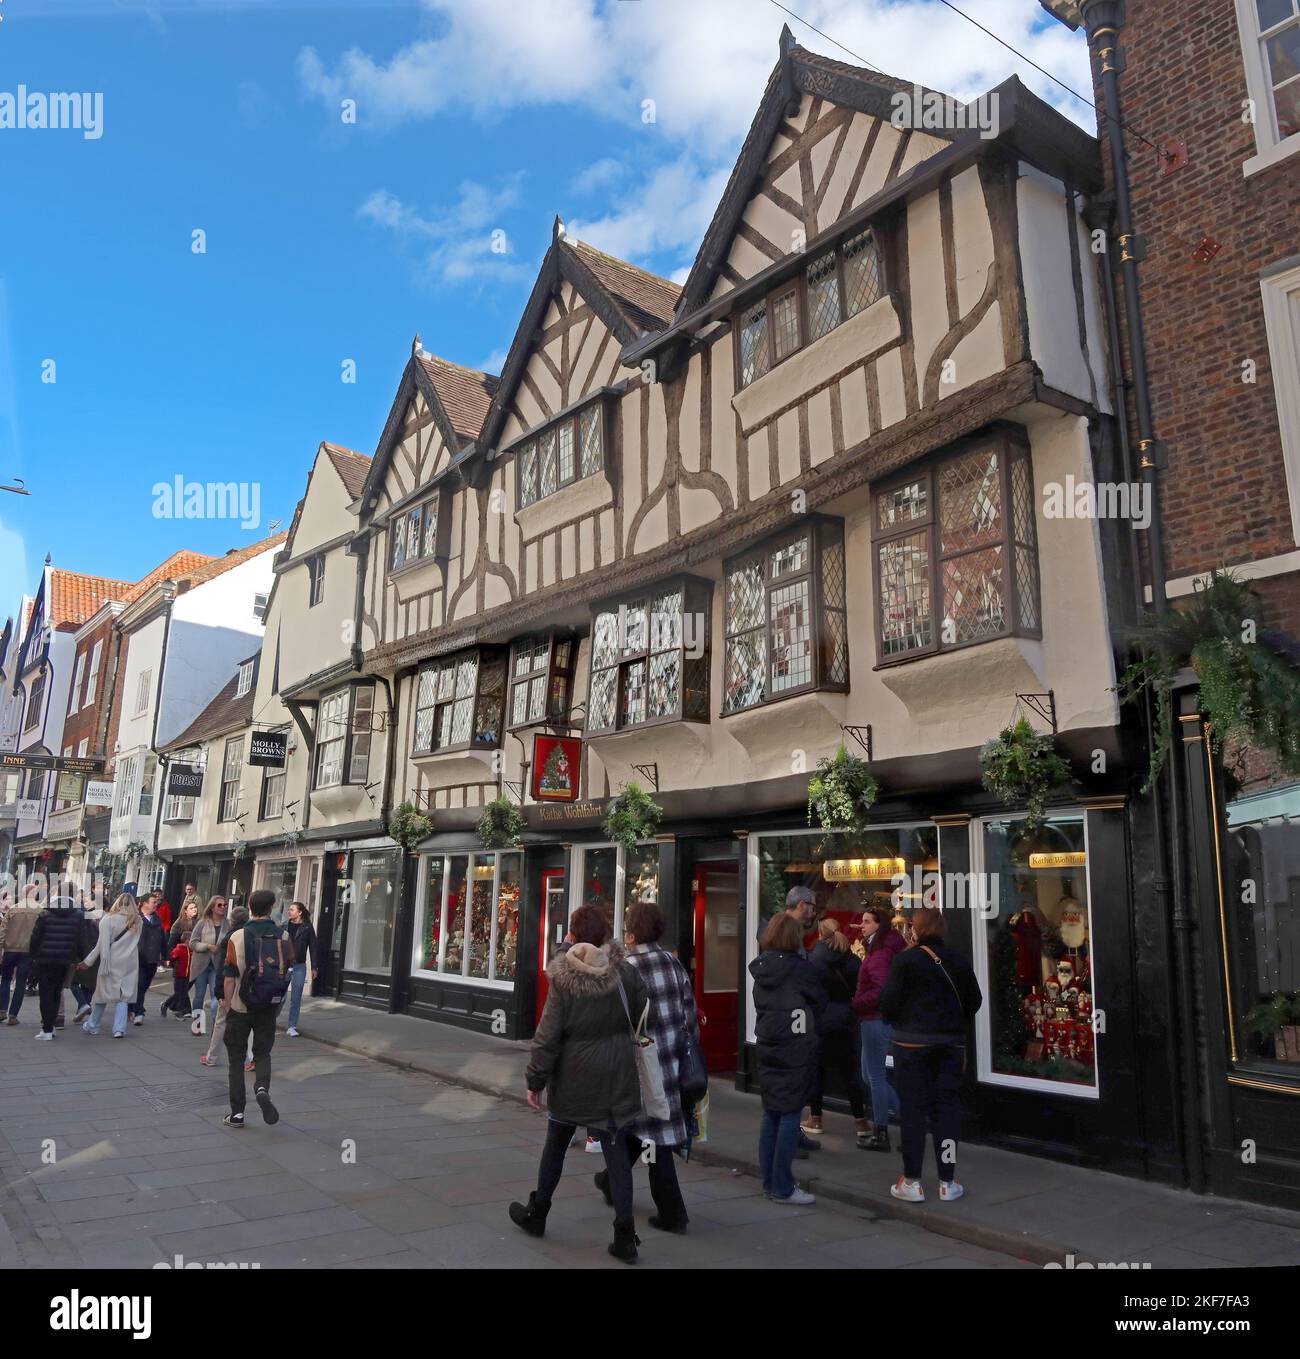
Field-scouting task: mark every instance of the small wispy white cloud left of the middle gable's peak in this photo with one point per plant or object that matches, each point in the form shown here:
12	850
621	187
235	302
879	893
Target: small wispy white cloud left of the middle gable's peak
461	243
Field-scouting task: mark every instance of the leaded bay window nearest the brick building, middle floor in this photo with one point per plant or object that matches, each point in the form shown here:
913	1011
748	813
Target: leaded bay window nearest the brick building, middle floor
957	552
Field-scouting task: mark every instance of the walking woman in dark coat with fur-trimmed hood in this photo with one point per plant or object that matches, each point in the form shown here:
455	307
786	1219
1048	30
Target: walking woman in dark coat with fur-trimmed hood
585	1058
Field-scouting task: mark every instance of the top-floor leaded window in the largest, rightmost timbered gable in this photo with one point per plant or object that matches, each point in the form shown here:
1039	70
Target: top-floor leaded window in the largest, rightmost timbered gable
833	287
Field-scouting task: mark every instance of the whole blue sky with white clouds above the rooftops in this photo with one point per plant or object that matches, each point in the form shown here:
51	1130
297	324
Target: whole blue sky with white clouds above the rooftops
332	241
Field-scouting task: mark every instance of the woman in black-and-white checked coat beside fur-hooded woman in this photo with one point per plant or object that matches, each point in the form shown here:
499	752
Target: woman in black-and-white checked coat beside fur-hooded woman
673	1023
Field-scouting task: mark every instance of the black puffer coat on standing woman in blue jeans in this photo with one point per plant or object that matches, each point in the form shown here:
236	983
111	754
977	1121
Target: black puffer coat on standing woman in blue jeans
791	1002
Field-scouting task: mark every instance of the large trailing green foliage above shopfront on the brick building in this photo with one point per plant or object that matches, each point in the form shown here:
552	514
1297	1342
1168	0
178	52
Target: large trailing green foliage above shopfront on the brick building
1250	691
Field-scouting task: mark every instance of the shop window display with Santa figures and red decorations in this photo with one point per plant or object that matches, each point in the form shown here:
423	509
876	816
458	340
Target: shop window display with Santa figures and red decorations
1040	960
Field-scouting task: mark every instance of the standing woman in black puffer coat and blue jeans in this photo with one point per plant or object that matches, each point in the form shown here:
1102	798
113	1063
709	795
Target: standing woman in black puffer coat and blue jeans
789	1000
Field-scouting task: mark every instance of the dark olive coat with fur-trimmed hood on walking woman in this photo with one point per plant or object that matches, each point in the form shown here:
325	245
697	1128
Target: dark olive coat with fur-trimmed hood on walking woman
582	1051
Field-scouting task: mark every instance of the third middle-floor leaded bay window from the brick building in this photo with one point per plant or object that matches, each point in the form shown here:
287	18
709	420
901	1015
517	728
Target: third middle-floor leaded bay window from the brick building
650	658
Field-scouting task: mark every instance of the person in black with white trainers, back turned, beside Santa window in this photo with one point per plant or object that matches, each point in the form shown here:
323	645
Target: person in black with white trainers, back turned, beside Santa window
931	997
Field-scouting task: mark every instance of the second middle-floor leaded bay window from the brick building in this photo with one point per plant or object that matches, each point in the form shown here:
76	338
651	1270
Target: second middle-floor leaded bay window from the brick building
786	618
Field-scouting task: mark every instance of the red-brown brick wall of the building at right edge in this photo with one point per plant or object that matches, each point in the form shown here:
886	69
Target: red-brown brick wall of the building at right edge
1226	497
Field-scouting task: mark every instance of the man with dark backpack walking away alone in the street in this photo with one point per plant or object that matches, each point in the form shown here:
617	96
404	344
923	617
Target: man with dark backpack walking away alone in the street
259	960
